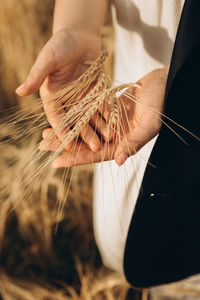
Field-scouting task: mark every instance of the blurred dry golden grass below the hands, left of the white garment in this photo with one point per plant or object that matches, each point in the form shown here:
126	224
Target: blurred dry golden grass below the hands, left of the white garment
41	260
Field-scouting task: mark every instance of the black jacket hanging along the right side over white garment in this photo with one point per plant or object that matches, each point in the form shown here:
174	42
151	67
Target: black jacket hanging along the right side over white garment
163	243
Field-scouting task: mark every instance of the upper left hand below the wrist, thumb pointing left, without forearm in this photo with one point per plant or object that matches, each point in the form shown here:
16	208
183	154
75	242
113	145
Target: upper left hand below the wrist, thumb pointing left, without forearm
61	61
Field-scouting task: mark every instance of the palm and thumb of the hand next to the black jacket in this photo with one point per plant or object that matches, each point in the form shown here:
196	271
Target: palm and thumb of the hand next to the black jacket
145	115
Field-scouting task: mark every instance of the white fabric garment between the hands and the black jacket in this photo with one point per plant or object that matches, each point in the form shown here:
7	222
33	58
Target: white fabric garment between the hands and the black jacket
144	35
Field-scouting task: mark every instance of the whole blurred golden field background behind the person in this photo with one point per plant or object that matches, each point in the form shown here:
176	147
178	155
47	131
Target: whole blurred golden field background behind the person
37	259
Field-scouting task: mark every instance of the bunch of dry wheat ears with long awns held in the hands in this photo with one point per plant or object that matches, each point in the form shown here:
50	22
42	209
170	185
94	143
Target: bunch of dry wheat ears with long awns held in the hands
80	99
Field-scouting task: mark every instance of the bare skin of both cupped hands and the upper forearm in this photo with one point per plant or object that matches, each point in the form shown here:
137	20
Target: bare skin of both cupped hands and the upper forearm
76	39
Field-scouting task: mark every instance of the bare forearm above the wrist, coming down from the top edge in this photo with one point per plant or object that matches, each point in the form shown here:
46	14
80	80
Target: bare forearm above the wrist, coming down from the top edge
86	14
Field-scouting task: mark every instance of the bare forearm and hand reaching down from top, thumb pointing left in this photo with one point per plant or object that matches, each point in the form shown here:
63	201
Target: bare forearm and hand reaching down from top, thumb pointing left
76	39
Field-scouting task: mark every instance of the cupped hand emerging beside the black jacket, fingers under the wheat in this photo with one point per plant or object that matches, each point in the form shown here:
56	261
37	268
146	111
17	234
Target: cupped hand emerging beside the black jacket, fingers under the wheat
141	121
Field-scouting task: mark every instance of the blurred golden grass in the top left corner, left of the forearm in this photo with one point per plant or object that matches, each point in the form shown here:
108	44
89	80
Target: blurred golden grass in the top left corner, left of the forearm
25	27
